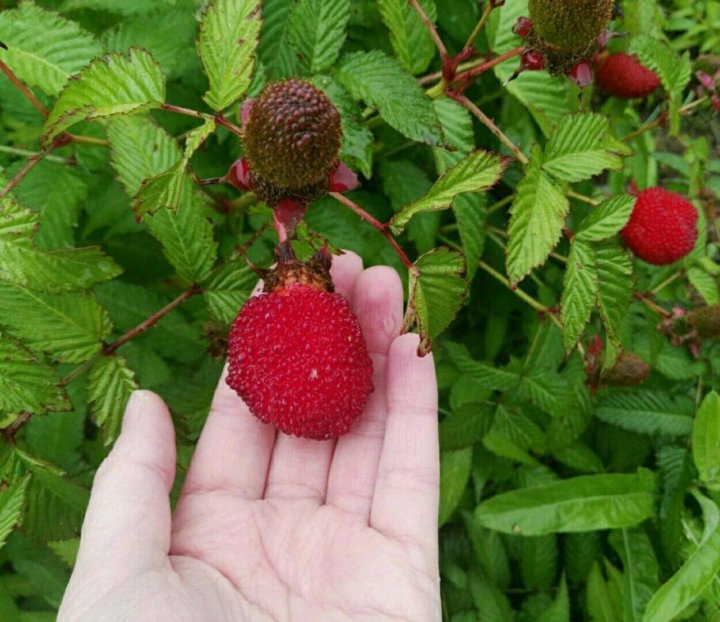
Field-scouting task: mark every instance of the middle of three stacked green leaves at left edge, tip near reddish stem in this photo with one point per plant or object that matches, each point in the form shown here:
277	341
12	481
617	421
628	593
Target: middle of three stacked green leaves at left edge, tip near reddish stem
70	327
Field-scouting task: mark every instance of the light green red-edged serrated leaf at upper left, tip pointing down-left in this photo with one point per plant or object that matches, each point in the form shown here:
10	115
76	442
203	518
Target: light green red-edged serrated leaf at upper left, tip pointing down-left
113	85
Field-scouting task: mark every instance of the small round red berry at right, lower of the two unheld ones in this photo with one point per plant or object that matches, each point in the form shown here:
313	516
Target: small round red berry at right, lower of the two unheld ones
662	227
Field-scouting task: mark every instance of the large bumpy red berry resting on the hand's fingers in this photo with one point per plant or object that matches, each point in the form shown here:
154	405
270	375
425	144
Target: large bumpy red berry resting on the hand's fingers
298	359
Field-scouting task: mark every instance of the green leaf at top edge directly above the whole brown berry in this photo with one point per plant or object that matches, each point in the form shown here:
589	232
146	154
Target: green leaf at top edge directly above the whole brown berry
317	32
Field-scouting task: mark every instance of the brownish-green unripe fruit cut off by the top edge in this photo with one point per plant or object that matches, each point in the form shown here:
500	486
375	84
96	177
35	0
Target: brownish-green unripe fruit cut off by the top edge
570	25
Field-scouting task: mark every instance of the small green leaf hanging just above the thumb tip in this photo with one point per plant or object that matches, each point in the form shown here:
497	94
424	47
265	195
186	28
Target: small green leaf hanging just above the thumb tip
110	384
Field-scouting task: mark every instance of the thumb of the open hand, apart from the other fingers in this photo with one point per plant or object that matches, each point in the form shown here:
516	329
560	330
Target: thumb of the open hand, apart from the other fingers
127	525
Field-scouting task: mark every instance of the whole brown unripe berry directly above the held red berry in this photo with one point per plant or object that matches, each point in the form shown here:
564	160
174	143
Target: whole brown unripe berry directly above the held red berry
292	136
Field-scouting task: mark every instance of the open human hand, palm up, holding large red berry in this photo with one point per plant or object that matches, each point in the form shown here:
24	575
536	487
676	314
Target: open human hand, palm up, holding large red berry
269	526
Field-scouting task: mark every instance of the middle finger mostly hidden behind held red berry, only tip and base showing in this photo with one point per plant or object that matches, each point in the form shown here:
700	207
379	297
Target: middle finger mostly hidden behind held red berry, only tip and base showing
299	467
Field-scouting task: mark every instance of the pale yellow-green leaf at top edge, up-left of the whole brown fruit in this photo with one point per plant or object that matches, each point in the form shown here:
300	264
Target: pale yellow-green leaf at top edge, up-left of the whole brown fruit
228	37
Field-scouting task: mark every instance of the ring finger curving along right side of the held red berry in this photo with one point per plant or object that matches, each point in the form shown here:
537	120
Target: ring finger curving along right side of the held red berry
379	307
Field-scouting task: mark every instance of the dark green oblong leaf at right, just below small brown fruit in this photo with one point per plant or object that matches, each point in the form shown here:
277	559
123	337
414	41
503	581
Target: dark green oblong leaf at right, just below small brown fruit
647	412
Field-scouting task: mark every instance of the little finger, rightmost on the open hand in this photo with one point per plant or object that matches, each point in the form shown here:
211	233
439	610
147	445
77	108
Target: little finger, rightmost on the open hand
405	503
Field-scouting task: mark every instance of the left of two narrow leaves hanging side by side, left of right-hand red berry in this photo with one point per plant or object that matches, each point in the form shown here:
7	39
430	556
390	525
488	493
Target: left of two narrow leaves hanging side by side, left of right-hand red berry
580	289
